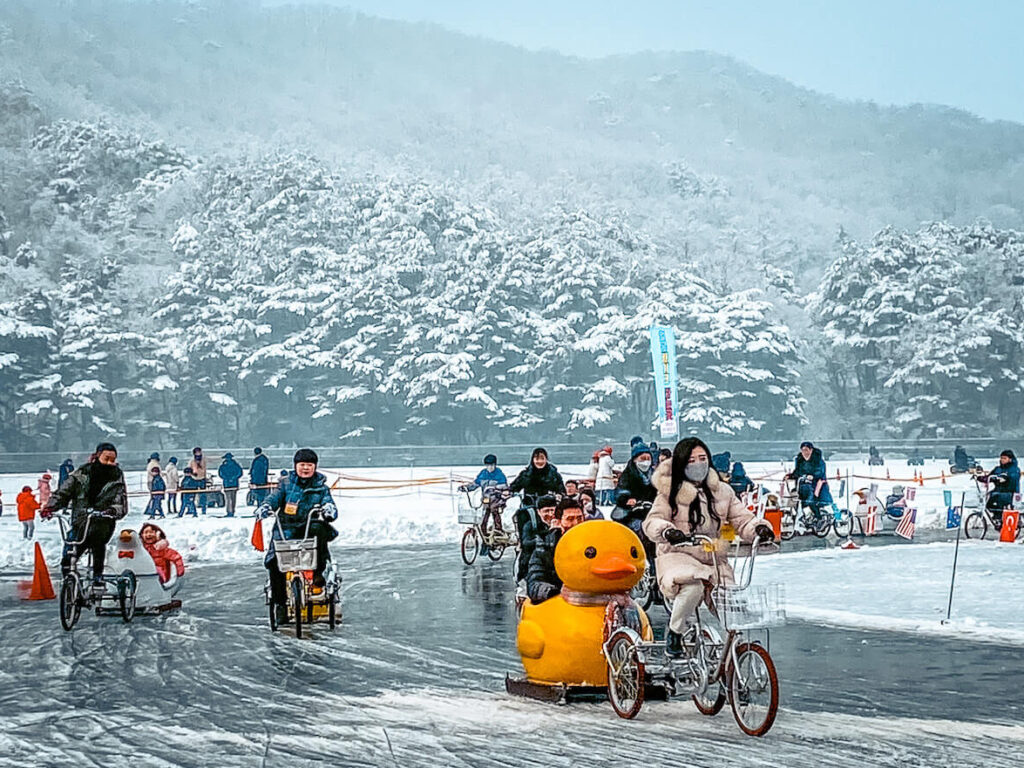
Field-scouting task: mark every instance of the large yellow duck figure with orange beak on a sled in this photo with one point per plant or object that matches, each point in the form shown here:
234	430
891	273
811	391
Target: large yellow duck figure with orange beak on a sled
561	641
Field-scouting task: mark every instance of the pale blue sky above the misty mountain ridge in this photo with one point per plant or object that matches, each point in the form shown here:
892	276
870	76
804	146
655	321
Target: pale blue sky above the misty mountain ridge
966	55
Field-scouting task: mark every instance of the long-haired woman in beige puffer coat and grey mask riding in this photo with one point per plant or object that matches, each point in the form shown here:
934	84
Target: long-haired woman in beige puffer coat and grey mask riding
693	500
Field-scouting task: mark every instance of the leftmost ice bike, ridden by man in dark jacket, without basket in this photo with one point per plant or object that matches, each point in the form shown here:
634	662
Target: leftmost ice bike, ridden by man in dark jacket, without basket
78	593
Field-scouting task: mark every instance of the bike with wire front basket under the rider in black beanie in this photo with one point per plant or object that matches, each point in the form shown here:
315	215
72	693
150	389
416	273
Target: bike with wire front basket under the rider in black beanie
297	560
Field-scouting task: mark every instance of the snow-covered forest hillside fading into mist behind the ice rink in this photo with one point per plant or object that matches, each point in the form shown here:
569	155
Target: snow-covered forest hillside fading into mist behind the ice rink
221	224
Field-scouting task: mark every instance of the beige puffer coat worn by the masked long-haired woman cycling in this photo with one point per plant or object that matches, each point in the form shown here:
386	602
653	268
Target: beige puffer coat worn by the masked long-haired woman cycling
678	566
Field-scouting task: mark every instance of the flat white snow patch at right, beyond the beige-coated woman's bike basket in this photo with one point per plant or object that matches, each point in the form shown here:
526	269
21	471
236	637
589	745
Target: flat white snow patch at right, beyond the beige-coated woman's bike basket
907	588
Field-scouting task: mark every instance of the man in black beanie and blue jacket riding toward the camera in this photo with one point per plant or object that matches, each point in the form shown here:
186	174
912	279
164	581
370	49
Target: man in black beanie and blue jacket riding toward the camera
304	498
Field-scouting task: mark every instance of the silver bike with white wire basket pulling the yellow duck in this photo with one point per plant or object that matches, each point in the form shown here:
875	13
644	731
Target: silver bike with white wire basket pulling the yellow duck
719	664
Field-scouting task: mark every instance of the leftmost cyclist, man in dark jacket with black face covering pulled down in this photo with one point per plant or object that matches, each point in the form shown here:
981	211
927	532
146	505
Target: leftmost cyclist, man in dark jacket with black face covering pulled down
98	497
